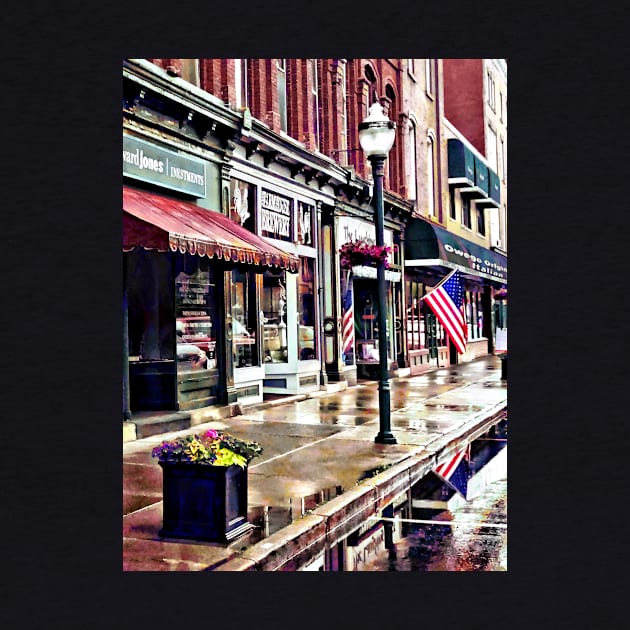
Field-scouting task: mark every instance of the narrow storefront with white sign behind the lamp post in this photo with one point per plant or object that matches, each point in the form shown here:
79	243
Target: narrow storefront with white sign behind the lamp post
360	303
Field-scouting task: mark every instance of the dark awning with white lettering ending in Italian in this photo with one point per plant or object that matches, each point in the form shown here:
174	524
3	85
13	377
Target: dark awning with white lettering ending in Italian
429	245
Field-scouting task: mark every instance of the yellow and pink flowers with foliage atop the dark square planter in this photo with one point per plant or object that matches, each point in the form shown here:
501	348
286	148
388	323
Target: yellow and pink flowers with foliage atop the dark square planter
212	448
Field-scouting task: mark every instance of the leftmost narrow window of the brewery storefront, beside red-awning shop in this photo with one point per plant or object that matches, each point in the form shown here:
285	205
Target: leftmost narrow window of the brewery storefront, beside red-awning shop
244	319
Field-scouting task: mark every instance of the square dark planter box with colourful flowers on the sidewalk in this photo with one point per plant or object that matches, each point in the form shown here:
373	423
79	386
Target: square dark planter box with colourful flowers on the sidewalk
204	489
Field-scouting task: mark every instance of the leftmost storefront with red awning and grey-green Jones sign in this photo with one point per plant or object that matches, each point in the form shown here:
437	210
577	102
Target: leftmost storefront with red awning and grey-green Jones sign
179	336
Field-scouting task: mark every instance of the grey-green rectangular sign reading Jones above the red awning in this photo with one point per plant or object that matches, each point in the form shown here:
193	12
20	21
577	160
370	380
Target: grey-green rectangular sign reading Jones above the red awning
150	163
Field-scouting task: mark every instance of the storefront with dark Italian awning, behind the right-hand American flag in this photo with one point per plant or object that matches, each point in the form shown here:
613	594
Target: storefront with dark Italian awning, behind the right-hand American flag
431	252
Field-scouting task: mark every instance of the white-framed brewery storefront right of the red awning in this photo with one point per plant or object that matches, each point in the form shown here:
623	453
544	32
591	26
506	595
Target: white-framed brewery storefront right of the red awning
282	307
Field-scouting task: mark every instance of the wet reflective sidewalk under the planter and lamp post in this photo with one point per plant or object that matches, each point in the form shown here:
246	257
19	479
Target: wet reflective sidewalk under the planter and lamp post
314	450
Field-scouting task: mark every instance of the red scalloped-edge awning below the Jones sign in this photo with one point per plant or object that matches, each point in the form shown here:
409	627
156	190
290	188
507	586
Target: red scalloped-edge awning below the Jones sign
151	221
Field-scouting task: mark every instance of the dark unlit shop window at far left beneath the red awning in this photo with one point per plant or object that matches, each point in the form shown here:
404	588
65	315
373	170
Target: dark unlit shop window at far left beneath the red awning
150	306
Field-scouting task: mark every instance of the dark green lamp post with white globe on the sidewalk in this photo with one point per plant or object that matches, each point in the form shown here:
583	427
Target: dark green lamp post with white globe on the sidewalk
376	136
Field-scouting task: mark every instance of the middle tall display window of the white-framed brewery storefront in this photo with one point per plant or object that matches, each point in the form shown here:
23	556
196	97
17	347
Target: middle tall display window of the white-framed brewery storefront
275	348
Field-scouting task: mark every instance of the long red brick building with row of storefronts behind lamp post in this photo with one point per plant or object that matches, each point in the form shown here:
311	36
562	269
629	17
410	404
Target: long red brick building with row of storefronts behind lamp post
272	145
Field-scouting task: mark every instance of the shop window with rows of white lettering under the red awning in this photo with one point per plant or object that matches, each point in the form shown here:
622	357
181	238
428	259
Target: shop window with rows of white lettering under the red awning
196	300
